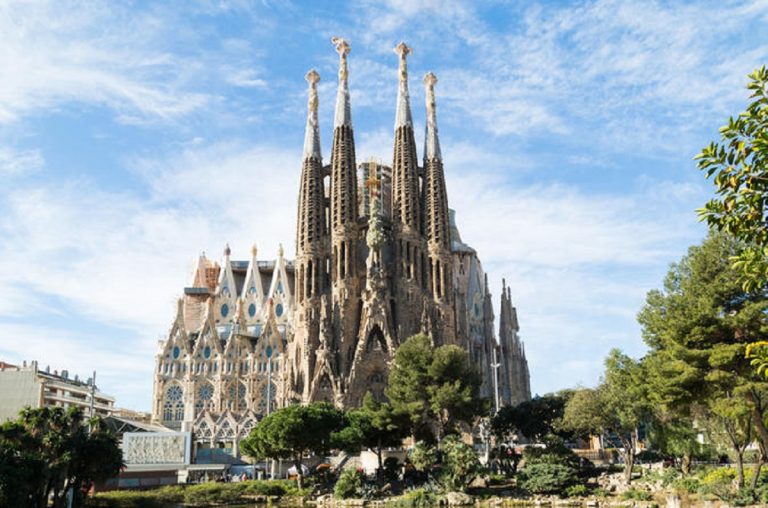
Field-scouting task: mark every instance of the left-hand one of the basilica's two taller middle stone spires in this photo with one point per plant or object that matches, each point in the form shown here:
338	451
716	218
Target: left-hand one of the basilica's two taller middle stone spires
343	176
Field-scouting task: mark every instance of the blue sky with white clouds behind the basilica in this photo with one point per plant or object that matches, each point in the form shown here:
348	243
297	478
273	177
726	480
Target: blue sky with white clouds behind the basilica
134	135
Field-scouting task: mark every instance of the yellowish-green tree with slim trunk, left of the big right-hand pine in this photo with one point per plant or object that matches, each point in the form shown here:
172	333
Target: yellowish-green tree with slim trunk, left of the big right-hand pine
616	407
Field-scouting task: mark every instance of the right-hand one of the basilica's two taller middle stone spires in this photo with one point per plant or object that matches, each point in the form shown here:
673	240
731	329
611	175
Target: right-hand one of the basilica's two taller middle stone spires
405	184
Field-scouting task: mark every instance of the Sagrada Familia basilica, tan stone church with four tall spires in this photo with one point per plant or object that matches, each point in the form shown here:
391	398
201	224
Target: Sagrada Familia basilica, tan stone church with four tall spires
378	259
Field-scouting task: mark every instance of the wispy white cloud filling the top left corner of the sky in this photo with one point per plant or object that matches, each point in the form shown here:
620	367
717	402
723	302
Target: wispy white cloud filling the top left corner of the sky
141	64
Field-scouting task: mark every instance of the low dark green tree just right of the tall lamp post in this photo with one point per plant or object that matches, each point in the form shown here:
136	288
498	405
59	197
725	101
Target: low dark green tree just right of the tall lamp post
538	419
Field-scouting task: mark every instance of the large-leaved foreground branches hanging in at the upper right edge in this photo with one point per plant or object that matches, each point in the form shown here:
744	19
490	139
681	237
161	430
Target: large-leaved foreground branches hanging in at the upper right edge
738	165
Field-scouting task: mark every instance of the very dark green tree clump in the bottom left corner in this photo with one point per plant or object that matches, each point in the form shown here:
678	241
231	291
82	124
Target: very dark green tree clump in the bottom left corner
49	451
